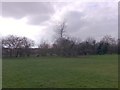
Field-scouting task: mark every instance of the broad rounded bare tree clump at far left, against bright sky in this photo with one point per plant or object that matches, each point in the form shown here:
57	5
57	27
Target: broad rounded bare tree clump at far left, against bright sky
16	46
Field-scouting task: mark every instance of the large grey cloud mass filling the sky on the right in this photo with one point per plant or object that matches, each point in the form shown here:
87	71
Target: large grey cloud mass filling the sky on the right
97	20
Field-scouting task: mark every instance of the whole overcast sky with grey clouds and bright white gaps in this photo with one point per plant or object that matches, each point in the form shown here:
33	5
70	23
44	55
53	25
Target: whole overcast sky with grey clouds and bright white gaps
37	20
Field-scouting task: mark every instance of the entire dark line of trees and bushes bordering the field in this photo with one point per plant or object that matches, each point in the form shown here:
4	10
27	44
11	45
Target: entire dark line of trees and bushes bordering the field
14	46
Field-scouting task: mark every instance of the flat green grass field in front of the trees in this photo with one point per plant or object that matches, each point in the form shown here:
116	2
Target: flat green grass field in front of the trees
58	72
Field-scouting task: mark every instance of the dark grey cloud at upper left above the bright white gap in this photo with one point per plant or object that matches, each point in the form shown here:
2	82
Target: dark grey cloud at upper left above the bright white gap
36	12
